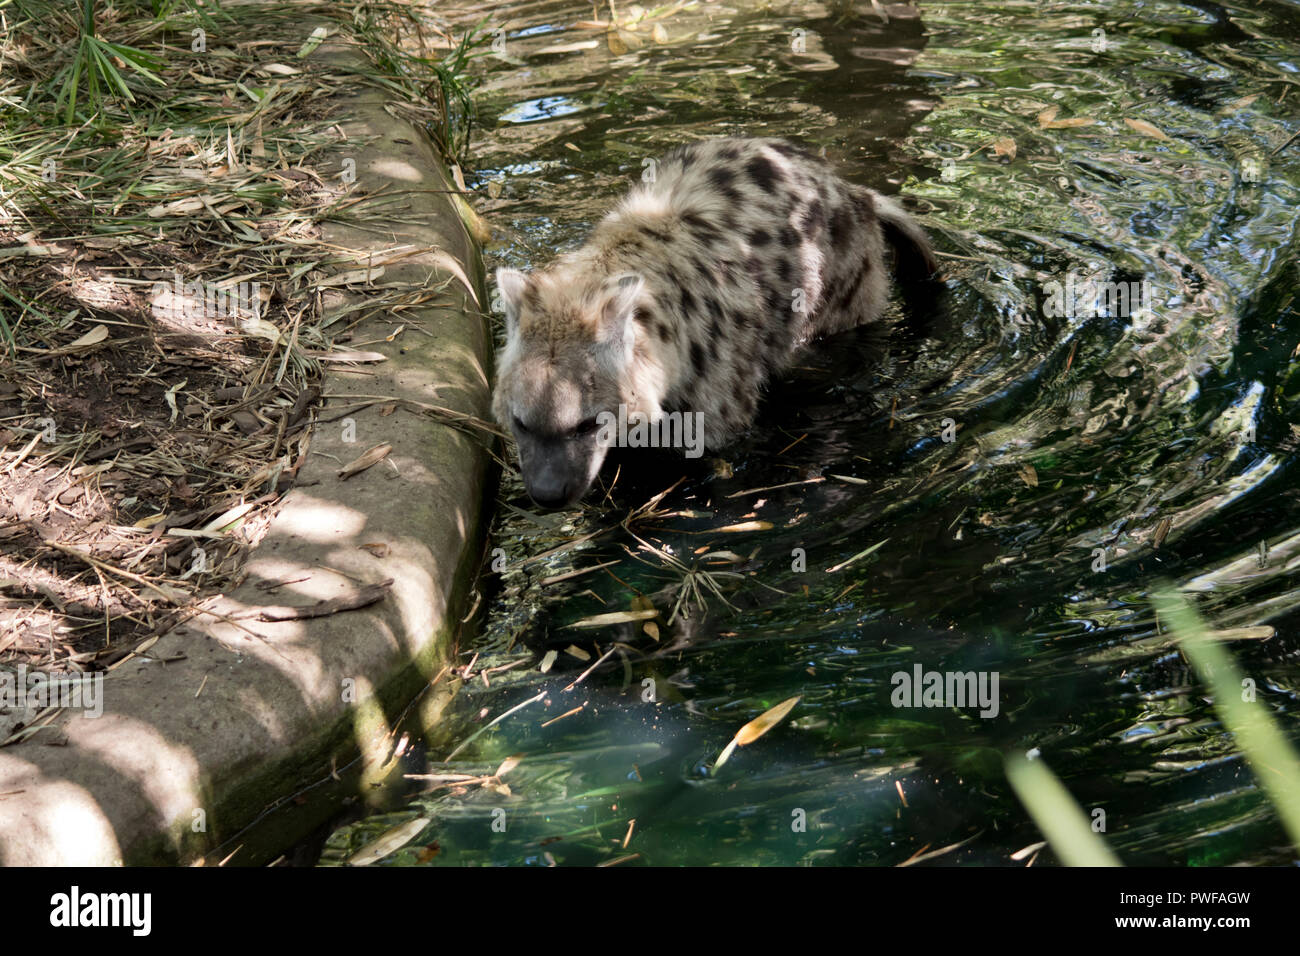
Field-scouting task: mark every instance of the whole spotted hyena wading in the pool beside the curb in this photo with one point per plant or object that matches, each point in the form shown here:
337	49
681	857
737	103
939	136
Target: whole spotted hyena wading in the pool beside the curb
690	297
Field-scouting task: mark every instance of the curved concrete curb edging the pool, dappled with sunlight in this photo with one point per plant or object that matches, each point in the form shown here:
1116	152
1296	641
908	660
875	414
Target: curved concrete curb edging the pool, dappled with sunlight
188	752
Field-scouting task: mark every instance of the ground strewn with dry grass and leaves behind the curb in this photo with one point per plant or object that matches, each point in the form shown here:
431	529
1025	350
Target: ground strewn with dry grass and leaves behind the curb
149	423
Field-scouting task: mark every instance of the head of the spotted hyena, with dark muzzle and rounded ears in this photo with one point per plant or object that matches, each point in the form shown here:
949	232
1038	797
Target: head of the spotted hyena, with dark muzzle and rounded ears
570	348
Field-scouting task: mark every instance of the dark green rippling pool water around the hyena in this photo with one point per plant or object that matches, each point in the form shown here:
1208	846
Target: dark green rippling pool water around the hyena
1090	458
